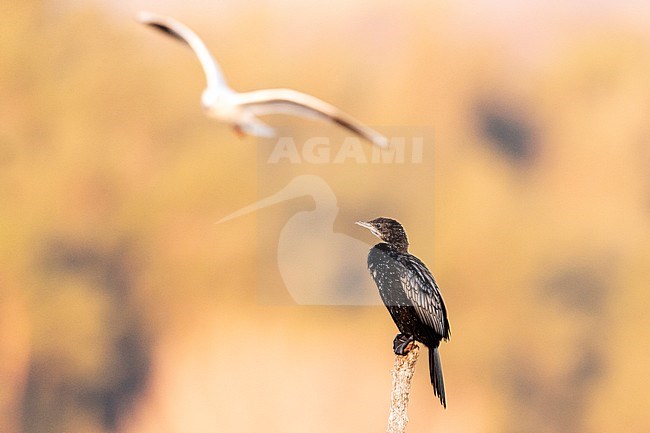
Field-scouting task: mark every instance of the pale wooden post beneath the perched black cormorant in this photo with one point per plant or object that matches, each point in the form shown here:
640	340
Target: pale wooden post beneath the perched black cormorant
399	397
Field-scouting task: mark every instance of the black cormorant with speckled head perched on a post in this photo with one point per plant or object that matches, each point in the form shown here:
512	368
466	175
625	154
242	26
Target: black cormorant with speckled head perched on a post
411	295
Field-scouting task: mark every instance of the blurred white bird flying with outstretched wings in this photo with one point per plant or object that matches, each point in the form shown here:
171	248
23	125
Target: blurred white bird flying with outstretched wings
241	109
